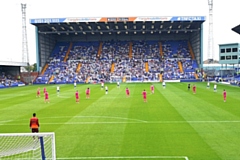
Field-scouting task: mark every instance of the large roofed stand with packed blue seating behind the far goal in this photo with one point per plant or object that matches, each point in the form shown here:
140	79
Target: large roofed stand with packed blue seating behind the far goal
118	48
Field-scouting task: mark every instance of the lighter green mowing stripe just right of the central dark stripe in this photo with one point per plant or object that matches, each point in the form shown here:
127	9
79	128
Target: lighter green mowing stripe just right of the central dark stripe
197	108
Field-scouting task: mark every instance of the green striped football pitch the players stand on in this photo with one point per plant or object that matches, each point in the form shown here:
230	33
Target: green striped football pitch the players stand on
174	123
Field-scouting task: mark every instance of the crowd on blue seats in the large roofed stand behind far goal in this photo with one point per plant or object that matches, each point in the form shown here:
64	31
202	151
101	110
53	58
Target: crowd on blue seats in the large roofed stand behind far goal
145	64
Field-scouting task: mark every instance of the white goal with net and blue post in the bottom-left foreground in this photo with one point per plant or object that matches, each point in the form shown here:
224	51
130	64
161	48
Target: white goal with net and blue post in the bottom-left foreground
27	146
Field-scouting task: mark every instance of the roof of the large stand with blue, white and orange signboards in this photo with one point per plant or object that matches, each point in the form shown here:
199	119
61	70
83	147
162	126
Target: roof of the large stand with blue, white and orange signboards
118	25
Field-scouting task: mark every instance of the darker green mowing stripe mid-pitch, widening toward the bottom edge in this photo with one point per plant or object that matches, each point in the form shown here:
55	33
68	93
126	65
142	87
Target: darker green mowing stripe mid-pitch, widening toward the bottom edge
162	138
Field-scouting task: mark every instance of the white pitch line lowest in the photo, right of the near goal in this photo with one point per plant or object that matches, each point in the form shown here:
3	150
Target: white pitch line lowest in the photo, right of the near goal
131	157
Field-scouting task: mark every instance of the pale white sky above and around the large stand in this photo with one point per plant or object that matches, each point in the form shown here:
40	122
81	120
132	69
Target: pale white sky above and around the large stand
225	17
